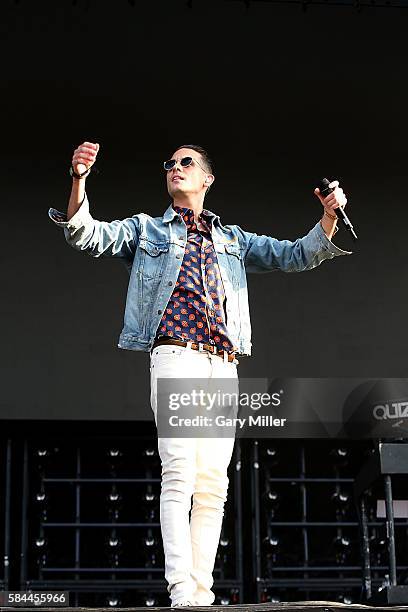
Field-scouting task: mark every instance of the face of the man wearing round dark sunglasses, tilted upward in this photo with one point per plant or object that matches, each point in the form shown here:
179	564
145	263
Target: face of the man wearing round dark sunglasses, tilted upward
188	180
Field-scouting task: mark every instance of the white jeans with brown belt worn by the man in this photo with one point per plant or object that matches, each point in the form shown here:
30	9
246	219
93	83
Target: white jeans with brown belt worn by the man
191	467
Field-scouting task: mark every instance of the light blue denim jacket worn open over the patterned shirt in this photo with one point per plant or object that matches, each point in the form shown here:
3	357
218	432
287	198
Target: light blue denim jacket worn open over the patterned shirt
152	248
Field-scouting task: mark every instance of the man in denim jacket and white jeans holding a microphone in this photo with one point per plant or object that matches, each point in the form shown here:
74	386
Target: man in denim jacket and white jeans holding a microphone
187	305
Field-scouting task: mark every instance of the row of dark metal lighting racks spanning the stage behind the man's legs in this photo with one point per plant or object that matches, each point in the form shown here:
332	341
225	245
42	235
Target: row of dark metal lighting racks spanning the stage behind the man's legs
81	514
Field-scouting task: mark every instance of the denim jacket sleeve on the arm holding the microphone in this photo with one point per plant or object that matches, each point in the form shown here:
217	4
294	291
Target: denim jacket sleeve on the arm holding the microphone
266	254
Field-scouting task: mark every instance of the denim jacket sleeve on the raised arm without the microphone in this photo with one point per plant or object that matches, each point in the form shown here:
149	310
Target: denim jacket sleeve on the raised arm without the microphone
110	239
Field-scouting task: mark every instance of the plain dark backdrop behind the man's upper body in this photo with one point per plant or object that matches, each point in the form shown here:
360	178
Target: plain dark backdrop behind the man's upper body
280	97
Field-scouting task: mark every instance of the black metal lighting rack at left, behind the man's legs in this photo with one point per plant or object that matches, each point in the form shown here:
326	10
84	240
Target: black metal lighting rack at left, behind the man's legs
91	524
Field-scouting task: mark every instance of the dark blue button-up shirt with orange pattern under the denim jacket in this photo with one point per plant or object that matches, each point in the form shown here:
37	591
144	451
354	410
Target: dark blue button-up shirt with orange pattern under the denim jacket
196	308
